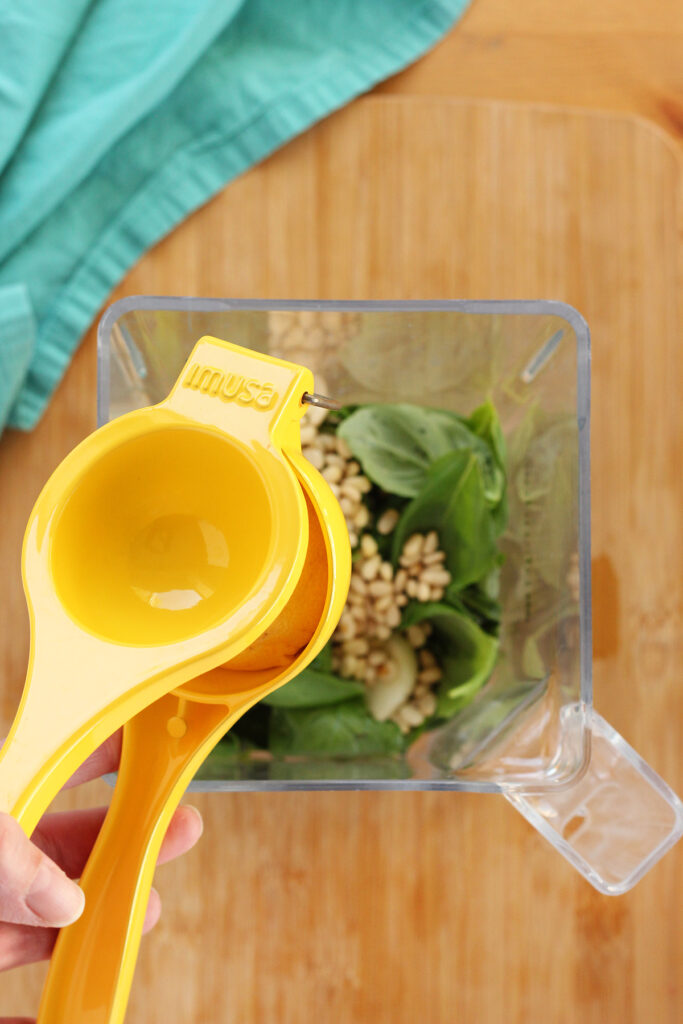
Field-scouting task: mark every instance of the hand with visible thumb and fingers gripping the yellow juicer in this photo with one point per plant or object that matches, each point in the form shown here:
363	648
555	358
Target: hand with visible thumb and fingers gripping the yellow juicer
37	897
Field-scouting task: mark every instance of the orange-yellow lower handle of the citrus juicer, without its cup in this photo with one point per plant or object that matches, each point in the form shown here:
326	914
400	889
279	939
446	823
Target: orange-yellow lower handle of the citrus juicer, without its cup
94	963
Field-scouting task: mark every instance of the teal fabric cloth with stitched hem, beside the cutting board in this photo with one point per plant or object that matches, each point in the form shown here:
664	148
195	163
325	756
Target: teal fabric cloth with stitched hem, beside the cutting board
120	117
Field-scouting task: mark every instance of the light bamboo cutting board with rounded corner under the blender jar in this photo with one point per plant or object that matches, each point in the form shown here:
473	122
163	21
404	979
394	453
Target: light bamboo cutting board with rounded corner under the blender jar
394	909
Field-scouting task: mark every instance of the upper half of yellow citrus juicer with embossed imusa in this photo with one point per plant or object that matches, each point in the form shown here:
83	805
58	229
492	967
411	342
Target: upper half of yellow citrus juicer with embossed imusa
163	546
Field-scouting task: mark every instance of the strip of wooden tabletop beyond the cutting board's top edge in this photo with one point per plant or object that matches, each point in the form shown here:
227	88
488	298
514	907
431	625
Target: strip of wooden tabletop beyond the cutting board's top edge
603	55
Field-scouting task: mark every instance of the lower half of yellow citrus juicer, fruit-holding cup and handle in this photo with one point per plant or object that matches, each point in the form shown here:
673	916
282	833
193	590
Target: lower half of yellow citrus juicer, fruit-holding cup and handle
94	962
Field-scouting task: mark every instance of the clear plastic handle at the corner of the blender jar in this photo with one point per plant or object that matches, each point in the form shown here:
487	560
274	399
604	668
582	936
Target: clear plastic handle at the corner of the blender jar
615	822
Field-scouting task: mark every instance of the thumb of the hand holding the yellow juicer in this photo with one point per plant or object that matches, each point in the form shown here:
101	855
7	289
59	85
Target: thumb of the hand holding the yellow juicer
33	889
